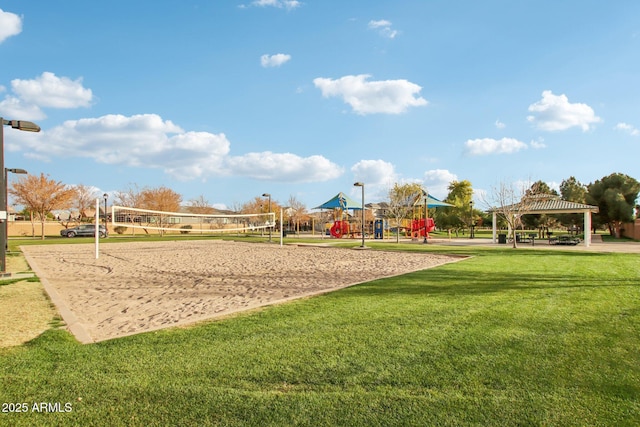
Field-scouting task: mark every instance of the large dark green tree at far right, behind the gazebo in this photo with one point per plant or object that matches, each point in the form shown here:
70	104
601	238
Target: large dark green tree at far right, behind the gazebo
615	195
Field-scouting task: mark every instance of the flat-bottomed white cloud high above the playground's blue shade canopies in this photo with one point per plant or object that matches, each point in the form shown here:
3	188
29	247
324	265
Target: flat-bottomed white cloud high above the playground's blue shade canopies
370	97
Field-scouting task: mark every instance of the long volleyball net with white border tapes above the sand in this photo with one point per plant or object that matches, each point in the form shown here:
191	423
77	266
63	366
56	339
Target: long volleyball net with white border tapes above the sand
189	223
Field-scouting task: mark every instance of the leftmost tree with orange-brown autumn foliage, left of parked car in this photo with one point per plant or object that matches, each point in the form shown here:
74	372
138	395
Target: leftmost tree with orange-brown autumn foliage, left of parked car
42	195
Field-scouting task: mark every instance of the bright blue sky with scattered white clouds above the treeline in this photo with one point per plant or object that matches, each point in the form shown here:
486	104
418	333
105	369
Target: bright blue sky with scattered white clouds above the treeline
231	99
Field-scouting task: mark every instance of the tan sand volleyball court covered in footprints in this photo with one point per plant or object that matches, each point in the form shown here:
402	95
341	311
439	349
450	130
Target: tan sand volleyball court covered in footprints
137	287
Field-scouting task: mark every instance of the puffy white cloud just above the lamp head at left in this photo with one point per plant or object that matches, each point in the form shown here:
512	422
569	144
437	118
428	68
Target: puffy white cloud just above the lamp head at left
45	91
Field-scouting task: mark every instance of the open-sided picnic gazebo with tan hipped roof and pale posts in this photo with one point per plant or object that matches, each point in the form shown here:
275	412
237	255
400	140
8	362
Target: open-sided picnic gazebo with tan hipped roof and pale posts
549	204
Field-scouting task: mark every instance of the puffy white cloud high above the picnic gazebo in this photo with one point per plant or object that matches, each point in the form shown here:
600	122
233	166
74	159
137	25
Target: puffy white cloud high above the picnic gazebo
556	113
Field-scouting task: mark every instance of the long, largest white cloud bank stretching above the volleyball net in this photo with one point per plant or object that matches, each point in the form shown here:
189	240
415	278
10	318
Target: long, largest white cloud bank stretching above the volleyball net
148	141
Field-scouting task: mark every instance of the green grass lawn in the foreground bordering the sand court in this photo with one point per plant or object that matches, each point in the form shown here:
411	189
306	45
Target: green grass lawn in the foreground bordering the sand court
507	337
